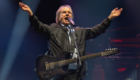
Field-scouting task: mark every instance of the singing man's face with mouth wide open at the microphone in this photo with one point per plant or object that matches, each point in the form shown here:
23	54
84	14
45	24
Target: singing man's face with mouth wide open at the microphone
64	15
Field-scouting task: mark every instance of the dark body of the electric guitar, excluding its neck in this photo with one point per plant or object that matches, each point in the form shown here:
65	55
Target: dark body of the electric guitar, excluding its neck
44	74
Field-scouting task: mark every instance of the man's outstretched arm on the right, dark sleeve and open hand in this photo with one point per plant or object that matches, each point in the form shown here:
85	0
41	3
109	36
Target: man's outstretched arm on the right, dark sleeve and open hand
100	28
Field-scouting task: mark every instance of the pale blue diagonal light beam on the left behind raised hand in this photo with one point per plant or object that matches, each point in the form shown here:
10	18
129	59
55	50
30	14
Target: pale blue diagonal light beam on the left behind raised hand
20	28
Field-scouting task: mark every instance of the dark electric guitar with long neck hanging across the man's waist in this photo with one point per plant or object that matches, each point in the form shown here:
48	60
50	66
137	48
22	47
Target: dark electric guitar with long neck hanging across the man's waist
48	67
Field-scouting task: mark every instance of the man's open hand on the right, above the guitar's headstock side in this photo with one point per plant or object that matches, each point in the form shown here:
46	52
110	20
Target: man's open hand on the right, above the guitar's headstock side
115	13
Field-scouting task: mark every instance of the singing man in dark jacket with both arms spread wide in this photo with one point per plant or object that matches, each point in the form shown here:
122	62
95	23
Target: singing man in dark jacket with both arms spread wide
60	39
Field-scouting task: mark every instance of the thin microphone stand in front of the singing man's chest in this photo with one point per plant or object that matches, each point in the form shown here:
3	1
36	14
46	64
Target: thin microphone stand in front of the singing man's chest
78	55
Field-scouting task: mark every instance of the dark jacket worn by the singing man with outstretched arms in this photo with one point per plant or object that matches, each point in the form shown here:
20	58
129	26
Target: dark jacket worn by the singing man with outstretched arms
59	41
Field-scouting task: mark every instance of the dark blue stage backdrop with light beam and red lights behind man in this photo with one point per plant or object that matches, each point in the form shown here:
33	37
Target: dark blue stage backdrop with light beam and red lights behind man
20	47
